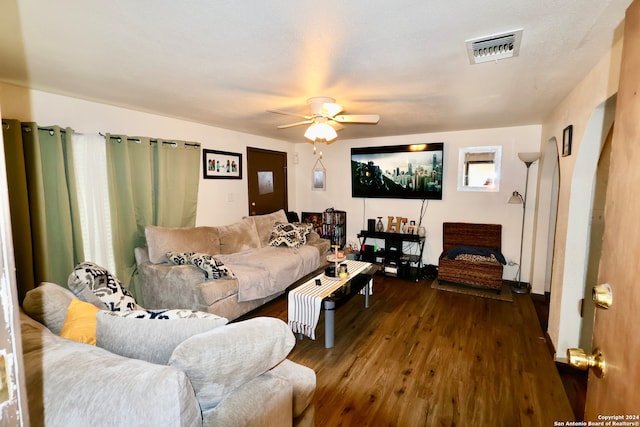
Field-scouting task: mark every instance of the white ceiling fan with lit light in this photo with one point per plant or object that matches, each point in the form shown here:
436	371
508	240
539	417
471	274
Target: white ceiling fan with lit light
325	119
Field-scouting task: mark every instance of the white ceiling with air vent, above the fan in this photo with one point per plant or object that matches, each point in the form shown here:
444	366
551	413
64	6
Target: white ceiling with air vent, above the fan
224	63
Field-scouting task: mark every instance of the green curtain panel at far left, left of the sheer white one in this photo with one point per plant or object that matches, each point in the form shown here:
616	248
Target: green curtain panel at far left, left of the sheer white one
43	203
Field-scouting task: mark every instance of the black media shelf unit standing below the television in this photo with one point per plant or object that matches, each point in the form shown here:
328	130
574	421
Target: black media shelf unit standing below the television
398	257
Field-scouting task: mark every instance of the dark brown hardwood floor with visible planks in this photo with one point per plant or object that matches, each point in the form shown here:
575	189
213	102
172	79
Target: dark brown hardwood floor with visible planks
425	357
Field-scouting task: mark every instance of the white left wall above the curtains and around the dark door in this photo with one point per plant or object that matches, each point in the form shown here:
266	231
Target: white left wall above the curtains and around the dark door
219	201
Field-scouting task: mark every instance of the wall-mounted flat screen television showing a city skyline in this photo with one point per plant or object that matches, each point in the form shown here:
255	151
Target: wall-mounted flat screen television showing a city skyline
398	171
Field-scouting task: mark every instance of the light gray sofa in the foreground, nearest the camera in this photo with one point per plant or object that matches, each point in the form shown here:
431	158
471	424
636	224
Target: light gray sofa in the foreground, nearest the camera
228	375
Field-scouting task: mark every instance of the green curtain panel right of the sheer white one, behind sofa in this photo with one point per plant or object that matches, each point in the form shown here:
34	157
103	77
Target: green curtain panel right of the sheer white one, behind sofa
152	182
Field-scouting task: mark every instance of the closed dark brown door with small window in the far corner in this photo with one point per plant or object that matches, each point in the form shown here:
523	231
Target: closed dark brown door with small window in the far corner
267	180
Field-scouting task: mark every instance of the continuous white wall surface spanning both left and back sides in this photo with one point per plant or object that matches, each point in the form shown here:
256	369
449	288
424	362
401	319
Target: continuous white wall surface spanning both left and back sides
225	201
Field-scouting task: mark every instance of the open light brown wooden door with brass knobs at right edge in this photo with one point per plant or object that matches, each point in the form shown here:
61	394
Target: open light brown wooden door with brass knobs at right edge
615	329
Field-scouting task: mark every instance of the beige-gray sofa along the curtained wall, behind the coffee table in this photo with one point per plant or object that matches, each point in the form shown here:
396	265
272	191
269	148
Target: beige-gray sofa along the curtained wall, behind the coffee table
259	270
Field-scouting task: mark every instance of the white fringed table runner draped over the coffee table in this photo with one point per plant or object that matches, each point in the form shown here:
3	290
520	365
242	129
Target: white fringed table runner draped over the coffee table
304	302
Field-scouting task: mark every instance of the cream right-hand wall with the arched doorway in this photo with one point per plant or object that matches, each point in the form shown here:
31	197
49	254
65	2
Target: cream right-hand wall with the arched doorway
586	109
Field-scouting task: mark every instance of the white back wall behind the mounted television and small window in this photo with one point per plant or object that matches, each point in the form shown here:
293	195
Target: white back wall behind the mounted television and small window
455	206
